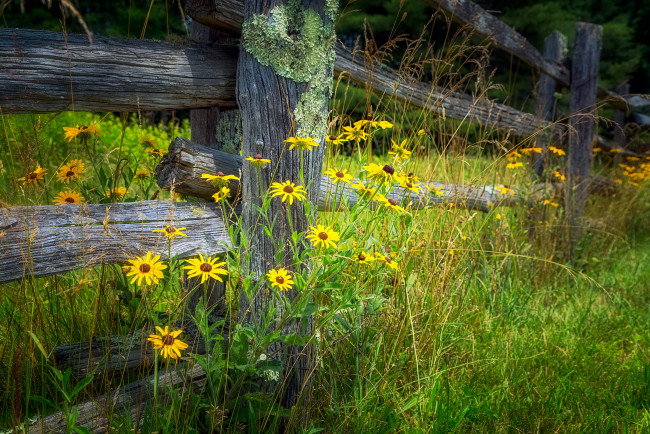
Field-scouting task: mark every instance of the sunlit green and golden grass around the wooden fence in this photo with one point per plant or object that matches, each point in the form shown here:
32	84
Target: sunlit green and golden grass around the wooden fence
485	326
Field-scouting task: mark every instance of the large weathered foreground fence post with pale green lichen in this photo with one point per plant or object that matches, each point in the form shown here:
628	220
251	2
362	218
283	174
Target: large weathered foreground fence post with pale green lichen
284	77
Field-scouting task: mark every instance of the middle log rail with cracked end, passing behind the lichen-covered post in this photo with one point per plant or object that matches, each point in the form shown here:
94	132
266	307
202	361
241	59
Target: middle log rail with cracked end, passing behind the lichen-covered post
186	161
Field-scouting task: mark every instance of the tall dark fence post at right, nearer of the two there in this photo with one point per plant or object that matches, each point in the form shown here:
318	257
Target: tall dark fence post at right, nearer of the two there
584	87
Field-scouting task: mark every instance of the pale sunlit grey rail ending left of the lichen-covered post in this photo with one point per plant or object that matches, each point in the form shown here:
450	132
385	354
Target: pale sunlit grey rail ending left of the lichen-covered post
38	241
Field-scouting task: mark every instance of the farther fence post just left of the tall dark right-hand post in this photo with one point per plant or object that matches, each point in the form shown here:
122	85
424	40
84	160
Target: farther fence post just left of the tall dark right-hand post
555	50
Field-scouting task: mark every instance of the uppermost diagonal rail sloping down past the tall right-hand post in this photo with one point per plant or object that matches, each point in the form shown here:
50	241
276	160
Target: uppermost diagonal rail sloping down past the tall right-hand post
503	36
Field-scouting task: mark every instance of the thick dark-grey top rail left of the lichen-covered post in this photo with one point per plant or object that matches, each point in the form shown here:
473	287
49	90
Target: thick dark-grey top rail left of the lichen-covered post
49	72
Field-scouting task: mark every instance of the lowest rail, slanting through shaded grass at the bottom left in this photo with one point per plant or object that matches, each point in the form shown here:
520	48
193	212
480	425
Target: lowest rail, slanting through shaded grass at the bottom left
129	401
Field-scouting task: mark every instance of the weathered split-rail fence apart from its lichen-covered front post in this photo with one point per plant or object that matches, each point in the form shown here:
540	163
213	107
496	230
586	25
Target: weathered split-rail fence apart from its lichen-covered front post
49	72
